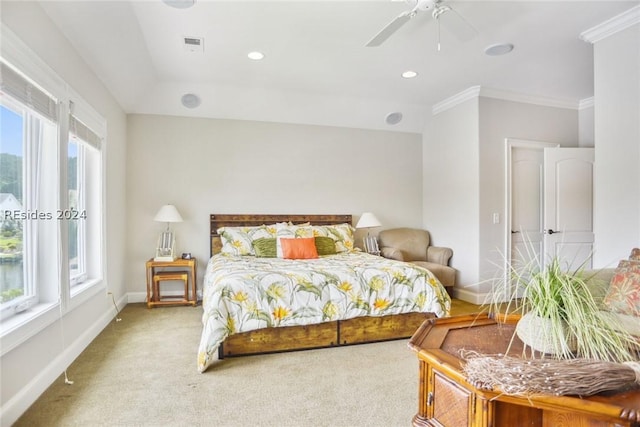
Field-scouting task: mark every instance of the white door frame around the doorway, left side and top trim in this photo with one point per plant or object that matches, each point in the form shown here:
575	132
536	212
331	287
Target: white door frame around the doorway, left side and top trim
510	145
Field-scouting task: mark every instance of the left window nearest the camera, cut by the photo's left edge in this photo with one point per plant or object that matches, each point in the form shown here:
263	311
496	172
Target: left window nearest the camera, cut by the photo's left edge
29	136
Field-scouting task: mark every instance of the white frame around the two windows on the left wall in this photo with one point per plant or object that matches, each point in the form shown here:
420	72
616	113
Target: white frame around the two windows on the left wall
56	296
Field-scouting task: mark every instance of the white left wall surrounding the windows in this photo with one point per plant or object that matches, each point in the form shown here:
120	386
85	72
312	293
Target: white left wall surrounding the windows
30	368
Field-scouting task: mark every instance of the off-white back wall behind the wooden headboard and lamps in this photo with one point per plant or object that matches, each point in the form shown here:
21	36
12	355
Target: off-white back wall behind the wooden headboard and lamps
206	166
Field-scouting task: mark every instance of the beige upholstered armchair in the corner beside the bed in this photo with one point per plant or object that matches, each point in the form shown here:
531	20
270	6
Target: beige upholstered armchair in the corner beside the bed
413	245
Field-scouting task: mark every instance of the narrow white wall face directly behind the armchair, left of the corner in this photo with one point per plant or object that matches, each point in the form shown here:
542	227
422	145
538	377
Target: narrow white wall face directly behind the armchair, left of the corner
450	197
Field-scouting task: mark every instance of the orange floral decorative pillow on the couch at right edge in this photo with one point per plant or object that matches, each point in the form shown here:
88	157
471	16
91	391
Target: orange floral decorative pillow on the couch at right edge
623	295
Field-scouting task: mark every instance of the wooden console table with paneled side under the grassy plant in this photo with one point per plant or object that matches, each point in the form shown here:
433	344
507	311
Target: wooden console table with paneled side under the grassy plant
447	399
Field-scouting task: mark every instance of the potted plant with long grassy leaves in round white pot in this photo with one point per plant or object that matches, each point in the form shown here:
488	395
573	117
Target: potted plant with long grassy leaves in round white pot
559	315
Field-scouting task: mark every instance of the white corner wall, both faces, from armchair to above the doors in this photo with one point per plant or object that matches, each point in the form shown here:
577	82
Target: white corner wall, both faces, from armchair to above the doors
464	178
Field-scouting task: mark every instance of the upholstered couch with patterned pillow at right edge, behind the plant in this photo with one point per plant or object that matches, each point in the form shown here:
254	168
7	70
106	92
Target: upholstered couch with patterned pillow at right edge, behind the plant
619	301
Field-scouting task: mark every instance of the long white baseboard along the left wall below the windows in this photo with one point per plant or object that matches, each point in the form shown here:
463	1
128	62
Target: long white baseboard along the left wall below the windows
20	402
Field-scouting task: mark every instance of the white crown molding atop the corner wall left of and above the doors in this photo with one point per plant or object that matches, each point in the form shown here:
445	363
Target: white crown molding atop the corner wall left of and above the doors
478	91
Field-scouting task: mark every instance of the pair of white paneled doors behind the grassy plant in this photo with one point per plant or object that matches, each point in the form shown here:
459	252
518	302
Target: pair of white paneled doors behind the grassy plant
549	204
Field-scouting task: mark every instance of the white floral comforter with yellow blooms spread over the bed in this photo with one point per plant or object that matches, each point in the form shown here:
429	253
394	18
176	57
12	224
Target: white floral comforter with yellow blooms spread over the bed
244	293
